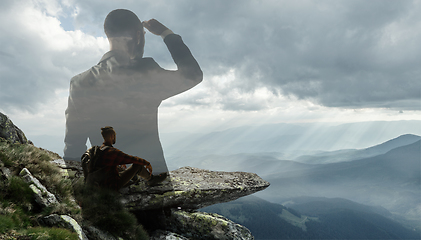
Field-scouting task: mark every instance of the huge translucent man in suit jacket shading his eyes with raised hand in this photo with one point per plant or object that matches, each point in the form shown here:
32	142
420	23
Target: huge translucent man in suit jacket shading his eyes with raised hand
124	90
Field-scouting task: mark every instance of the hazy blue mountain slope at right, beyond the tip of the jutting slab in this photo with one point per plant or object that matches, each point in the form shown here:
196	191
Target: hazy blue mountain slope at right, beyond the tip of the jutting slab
391	180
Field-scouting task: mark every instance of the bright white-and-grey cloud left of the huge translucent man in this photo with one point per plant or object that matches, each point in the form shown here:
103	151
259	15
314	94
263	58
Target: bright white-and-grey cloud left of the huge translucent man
37	56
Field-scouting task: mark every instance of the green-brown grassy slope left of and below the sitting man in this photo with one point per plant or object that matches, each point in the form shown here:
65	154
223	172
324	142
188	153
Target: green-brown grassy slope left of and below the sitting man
100	208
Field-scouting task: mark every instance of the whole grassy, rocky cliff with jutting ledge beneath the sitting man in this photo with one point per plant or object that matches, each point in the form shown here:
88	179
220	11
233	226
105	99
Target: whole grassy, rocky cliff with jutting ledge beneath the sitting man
46	197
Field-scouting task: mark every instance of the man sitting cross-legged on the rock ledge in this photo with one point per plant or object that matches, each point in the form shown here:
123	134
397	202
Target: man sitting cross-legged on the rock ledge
108	174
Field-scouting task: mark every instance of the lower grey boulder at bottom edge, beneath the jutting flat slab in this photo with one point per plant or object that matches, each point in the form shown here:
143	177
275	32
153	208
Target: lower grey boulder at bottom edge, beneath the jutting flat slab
207	226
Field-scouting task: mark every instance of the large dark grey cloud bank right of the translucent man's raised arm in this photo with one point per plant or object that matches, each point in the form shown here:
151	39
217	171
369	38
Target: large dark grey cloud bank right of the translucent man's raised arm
350	54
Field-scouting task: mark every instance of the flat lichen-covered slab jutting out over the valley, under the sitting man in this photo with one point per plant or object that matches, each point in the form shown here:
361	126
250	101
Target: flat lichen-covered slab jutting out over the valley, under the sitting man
192	188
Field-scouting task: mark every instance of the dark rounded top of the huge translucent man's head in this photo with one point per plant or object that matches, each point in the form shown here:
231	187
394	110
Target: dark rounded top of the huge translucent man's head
121	22
